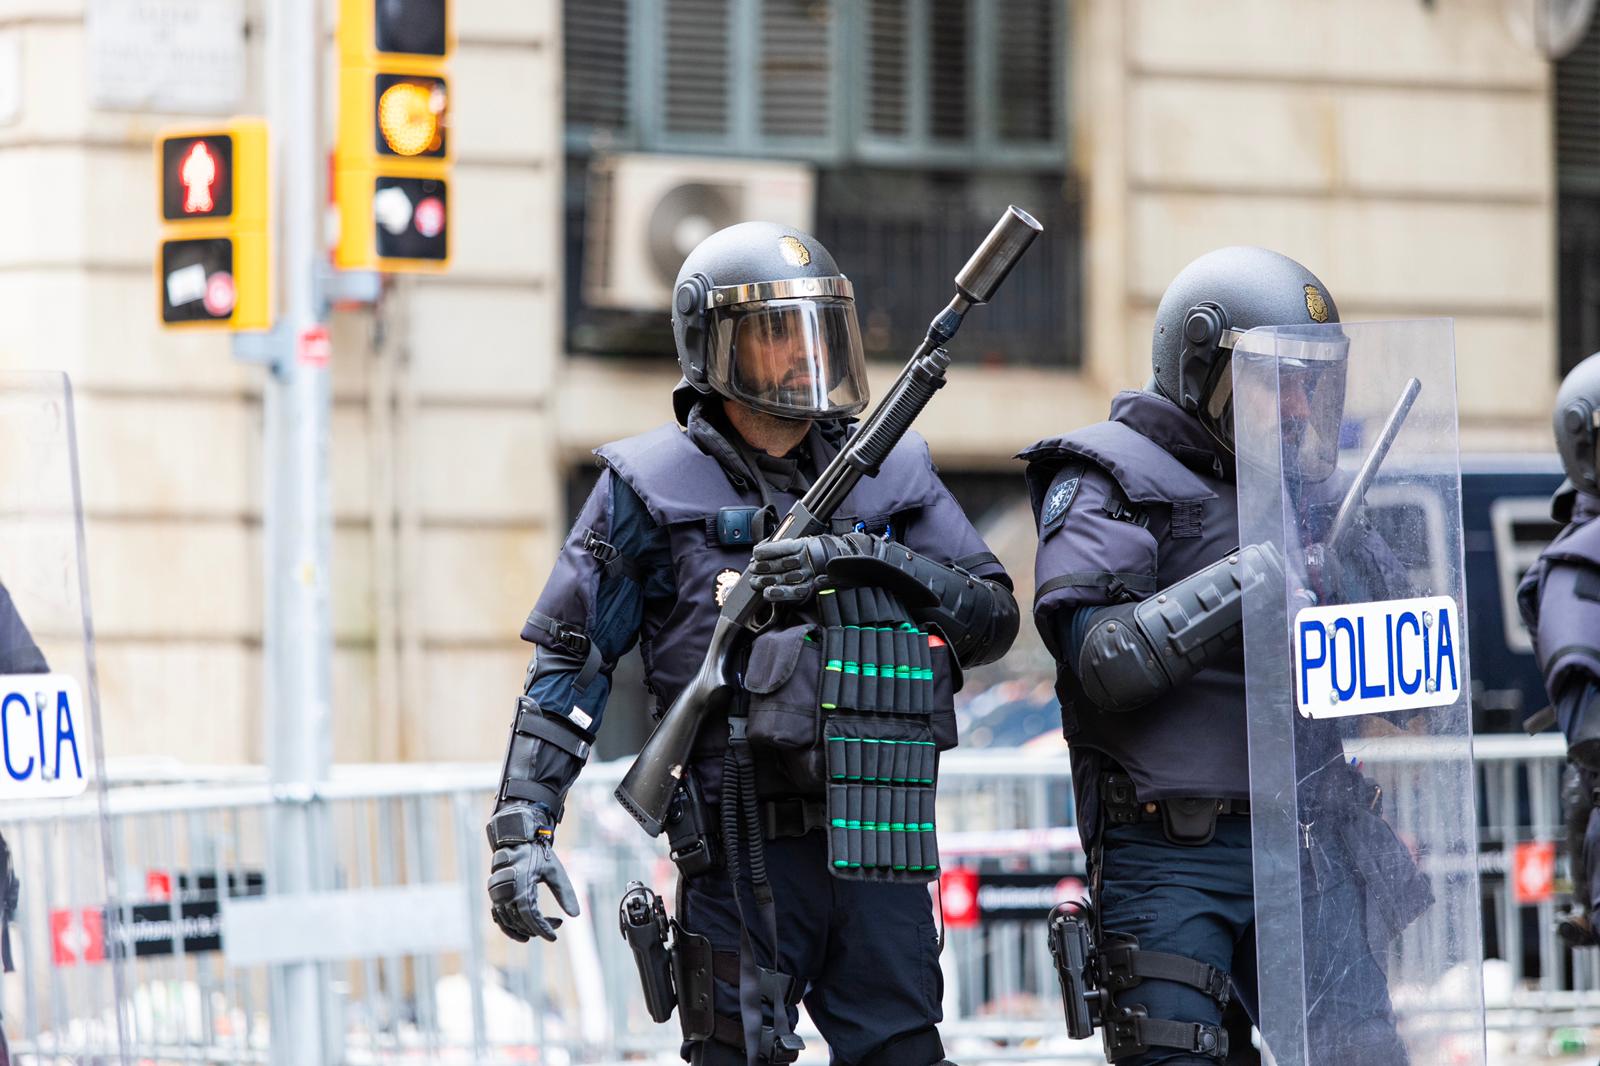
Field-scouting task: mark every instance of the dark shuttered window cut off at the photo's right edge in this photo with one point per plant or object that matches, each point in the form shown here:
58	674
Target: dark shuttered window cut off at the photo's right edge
1578	198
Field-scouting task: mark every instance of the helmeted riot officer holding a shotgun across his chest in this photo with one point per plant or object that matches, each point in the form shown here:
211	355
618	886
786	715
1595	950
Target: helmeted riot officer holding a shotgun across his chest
774	369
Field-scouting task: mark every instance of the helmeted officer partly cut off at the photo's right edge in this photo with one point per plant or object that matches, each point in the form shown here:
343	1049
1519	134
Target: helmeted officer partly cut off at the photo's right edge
1561	603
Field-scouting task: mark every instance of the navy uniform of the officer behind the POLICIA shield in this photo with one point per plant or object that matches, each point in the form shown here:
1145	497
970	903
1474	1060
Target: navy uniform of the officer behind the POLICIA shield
1127	508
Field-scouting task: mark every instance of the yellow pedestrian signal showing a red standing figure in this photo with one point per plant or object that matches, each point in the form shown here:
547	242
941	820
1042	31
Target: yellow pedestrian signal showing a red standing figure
215	263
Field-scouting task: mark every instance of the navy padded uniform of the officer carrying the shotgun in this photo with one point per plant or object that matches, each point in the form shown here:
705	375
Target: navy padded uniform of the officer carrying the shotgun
644	563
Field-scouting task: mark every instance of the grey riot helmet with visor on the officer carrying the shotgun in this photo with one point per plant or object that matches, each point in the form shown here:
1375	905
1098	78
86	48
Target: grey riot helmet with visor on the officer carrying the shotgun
762	316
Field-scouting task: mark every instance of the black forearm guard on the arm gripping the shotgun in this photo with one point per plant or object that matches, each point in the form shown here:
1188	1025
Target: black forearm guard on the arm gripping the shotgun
978	617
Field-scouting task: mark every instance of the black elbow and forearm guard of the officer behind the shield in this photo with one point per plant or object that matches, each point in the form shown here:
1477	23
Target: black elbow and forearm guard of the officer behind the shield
1137	652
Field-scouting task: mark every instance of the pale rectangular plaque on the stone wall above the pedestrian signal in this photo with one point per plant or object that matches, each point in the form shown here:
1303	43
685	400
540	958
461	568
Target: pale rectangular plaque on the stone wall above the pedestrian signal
183	57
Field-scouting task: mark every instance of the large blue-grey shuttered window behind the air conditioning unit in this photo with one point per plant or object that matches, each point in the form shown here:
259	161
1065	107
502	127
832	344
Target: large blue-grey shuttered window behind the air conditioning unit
914	121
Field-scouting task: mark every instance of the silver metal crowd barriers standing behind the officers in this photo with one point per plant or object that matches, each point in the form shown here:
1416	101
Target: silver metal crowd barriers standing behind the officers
402	852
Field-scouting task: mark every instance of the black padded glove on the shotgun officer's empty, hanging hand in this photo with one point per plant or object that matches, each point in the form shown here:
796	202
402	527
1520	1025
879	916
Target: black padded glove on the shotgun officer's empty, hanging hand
524	838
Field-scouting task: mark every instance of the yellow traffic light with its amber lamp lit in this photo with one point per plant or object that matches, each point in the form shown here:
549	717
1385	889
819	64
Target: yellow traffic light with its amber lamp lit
393	156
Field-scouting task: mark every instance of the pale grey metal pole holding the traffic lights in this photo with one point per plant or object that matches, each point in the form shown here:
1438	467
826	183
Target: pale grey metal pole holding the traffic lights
298	518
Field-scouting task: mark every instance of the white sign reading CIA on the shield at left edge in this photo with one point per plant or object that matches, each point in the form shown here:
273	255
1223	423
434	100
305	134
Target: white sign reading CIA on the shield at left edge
46	750
